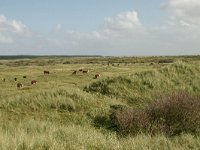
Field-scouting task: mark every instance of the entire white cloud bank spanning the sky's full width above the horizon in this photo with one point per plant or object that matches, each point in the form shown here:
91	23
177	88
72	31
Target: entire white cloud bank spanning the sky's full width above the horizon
122	34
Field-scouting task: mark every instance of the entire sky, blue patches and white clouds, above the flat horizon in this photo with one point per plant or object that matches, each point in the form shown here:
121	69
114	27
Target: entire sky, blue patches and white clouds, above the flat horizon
100	27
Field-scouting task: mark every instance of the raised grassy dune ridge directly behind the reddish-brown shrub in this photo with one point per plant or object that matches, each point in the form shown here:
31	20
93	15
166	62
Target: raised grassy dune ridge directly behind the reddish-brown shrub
141	87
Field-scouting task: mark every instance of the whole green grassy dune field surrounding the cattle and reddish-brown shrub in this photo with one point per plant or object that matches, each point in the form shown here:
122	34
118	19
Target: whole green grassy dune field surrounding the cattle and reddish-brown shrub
73	111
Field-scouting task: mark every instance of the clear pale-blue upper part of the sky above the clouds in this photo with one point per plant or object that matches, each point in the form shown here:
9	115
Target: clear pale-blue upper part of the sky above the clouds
85	16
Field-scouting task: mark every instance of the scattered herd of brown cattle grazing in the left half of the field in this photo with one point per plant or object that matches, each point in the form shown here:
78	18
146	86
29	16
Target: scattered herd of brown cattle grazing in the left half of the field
33	82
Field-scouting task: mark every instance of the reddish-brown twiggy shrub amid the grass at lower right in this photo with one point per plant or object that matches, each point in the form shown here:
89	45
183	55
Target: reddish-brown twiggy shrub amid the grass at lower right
171	115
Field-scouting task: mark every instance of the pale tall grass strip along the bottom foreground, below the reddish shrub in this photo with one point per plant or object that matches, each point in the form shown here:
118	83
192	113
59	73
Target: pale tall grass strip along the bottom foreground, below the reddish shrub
32	134
